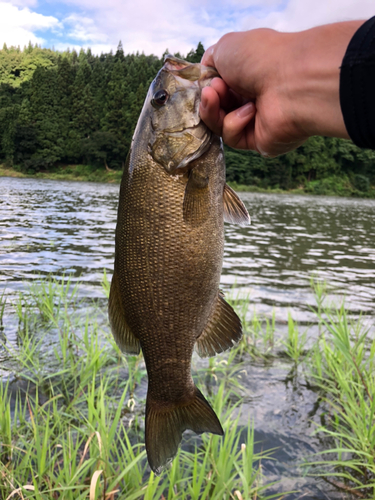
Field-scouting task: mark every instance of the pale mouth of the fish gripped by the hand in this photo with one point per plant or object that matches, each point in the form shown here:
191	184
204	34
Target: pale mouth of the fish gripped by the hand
186	72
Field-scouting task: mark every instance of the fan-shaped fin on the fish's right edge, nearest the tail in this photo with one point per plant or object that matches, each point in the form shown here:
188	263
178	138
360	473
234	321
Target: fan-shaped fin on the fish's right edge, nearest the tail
222	331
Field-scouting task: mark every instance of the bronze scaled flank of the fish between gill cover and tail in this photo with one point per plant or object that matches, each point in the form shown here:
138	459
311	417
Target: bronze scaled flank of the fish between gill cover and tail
169	270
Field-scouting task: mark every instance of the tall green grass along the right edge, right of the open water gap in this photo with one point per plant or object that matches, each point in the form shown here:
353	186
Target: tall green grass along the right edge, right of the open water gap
341	363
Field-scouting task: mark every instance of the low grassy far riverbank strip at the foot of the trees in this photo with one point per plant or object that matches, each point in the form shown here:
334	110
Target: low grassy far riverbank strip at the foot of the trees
331	186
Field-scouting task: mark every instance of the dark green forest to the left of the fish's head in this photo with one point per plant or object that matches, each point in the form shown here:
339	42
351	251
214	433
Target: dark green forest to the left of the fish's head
69	107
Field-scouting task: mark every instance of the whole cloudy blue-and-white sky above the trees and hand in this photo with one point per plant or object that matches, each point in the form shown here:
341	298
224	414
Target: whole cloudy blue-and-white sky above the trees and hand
153	26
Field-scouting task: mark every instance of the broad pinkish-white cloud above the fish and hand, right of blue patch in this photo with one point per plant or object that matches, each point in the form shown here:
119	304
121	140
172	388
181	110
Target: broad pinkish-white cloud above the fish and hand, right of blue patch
145	25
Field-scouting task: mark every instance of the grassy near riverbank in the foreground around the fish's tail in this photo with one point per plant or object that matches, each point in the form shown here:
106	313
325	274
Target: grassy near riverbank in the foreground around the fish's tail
72	415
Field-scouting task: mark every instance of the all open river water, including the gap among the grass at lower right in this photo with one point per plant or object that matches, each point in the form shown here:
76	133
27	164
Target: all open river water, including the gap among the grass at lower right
68	227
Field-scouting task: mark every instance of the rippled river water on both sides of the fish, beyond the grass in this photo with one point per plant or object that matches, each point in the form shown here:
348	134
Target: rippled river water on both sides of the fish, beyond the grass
56	227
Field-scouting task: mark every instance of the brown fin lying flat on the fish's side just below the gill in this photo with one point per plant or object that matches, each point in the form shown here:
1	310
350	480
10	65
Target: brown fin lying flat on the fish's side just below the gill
196	200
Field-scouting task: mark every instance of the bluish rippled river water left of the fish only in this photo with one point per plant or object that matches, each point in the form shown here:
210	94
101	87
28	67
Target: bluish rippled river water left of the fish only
56	227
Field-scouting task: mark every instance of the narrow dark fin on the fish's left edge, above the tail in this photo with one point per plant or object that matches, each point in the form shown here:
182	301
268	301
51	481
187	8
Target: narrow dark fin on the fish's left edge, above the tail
124	337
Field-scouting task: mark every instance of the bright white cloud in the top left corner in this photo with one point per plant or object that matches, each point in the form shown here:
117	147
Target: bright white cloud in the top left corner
18	25
